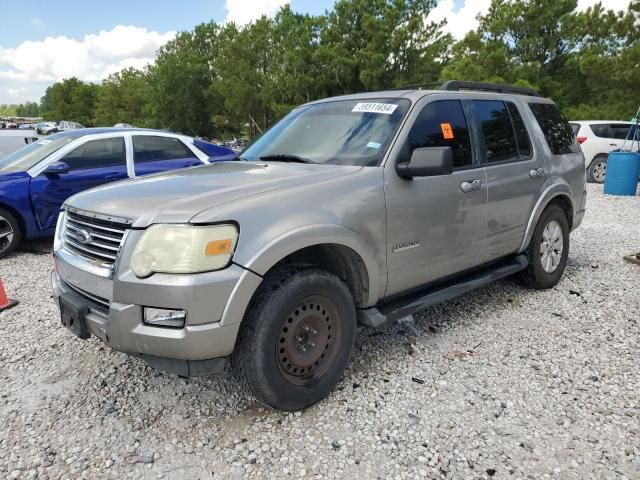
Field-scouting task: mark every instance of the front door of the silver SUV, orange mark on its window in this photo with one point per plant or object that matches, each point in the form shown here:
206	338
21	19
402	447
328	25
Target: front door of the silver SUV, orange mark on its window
435	225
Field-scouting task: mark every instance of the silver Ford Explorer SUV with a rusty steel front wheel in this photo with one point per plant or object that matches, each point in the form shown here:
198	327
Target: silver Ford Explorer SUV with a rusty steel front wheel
362	208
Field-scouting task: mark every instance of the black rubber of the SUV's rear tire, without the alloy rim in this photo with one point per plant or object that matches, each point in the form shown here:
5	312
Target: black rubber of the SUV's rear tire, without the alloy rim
542	278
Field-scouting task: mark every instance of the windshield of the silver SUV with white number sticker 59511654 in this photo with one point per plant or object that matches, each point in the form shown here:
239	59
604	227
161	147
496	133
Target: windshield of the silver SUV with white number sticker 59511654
344	132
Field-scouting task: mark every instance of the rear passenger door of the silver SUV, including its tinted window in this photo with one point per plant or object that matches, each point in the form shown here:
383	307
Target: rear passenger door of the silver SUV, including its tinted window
516	174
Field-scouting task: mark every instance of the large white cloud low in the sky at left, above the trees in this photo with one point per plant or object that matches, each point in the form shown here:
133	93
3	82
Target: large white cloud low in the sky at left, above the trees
91	59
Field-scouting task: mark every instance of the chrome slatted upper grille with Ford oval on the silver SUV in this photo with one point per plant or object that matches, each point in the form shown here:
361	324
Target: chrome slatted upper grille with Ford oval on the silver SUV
96	239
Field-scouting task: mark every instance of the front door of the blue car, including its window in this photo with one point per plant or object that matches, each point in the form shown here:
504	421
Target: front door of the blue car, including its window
91	164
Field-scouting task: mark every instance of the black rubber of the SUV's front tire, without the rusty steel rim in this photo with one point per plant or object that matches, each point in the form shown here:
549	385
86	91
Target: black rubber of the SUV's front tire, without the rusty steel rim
268	383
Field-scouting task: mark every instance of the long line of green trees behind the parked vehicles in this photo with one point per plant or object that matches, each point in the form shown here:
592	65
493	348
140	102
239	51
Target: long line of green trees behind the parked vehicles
227	80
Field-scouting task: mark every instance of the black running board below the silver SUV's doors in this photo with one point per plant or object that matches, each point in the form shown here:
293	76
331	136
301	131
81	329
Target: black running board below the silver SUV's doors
405	306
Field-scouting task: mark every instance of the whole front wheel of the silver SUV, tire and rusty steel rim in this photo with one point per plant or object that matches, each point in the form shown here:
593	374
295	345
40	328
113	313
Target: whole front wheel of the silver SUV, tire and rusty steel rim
296	339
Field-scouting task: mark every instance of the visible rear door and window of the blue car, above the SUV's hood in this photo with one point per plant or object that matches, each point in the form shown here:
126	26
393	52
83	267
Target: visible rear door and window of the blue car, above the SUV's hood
154	153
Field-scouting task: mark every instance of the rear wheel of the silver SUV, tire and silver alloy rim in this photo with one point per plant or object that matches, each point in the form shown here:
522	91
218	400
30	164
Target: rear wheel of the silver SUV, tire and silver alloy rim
548	249
